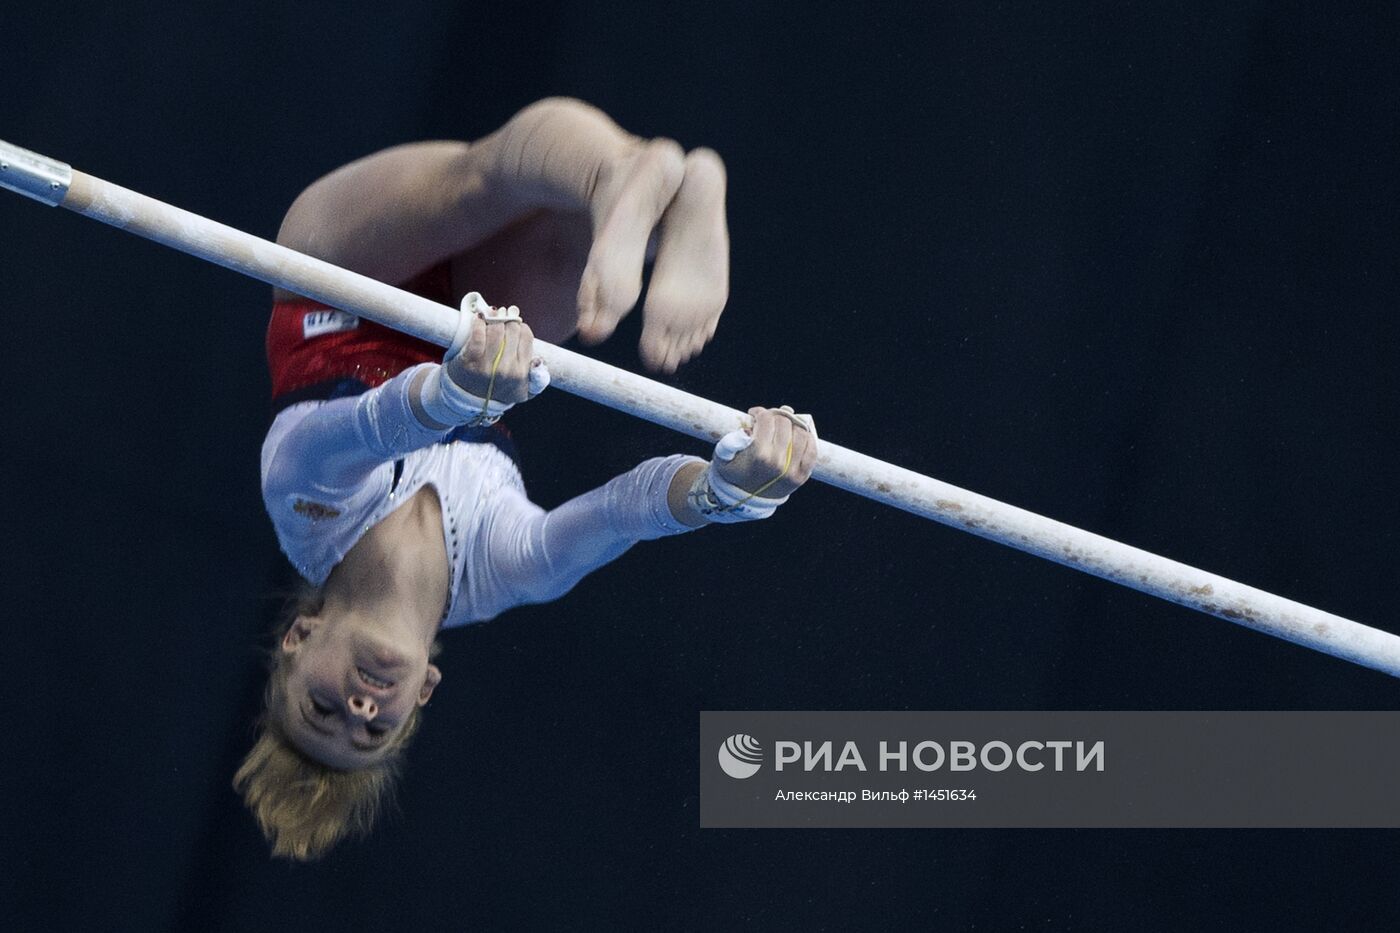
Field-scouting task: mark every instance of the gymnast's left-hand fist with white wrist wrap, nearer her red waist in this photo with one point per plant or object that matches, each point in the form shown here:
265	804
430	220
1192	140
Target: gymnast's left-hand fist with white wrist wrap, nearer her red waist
495	369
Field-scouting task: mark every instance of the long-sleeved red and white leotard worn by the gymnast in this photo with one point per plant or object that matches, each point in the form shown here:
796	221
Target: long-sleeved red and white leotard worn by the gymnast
346	450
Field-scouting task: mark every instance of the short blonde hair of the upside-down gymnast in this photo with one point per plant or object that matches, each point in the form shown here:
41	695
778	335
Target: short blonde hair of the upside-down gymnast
303	806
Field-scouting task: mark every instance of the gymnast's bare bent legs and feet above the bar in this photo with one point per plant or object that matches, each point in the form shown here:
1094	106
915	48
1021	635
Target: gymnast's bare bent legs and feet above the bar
558	212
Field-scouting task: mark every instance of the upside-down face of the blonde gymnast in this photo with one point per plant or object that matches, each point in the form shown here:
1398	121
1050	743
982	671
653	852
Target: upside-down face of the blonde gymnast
349	691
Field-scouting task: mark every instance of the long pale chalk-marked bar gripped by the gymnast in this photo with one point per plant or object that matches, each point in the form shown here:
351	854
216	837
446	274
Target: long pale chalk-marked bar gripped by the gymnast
57	184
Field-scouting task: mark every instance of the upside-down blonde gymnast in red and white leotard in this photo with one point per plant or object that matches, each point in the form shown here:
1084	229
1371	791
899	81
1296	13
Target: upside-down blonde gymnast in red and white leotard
393	490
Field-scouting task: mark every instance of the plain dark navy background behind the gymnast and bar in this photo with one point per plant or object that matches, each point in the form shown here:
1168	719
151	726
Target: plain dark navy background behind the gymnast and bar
1133	268
